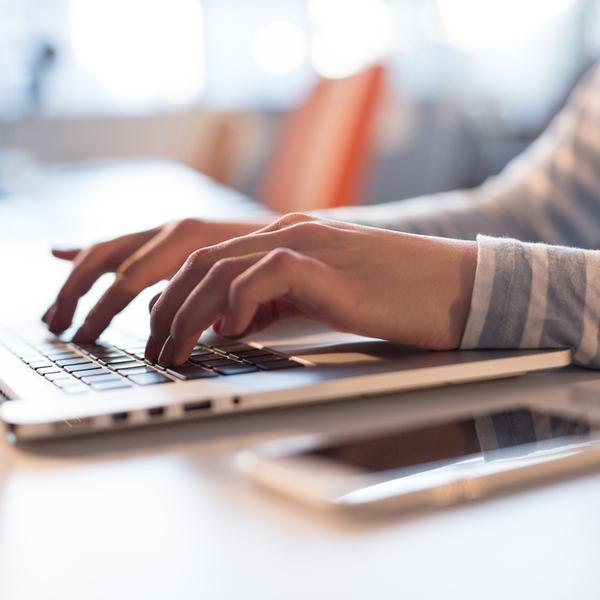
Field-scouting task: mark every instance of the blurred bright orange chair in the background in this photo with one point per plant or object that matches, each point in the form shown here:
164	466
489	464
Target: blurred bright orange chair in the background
320	159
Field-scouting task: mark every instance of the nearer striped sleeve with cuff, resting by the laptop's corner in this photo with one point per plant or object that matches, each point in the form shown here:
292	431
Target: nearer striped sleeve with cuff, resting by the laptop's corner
535	296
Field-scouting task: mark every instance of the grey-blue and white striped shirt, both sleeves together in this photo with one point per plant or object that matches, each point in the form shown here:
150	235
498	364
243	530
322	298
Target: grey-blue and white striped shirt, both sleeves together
538	227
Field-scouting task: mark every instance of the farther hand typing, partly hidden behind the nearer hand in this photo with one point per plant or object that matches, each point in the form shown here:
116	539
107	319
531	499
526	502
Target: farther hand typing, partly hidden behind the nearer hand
139	261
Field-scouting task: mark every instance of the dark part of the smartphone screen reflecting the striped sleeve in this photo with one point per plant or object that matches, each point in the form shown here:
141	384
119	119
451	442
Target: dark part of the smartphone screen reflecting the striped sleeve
521	430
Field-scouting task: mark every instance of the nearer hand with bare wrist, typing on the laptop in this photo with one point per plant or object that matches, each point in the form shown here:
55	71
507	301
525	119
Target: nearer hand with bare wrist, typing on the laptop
405	288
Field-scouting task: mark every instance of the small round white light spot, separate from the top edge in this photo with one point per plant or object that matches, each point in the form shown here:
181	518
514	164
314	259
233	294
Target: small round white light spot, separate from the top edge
279	47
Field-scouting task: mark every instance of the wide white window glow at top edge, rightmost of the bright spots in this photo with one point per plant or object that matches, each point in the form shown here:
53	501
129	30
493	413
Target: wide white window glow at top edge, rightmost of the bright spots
479	24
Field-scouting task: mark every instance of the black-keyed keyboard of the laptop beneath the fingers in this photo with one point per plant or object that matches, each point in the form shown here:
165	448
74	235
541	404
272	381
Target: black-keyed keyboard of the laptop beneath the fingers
120	363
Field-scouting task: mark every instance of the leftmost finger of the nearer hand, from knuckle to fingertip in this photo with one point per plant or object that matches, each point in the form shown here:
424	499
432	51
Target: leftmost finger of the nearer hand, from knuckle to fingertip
303	237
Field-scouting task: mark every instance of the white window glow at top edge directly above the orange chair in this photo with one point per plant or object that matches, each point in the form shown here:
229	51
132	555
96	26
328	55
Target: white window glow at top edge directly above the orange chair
349	35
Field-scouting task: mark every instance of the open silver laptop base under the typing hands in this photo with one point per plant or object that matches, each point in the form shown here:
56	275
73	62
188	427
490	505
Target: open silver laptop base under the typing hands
50	387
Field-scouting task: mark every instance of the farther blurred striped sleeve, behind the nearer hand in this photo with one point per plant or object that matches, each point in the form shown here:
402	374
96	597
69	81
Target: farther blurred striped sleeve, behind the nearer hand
551	193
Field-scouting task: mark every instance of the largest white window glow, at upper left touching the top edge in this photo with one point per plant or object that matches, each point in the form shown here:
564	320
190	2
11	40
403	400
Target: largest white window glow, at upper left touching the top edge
141	50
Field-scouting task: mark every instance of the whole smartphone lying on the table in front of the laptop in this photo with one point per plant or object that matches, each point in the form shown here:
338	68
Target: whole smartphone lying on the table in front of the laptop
433	464
